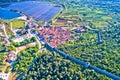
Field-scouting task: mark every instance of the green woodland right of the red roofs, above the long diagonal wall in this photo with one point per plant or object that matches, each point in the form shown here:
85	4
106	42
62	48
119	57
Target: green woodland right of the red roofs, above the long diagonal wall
105	55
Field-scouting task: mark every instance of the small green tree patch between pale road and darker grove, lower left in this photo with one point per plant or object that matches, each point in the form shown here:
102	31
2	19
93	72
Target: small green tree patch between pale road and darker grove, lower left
25	57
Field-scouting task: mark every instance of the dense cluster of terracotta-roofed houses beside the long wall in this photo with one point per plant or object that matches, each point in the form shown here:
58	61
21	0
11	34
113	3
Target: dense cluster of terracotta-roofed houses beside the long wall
55	35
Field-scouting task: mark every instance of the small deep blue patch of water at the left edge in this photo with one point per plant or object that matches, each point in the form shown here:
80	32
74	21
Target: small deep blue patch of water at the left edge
7	15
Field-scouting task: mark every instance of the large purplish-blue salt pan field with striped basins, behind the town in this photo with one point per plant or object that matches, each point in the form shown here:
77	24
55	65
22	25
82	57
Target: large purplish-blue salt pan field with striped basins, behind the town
35	9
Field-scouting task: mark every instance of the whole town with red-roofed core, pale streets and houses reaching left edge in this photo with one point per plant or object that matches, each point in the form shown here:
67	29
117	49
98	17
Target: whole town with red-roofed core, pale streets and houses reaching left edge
36	34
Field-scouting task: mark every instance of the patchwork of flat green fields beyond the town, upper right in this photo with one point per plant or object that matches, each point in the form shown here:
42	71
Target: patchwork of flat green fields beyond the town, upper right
93	14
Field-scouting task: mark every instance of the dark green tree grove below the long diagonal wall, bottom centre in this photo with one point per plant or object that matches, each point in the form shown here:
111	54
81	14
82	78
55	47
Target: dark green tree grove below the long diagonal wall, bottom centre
52	67
